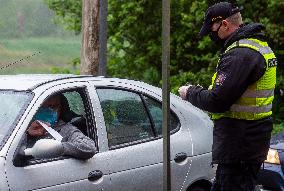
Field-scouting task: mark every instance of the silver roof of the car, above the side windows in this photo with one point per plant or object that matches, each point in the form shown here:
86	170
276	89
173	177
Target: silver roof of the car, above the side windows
22	82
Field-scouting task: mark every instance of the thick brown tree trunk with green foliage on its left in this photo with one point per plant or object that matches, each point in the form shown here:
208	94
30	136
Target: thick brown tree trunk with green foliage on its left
81	16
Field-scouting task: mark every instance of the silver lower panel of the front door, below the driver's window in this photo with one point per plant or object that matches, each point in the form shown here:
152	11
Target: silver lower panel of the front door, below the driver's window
58	174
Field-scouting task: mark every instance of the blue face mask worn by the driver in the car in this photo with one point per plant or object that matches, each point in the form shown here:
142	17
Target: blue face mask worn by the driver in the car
46	114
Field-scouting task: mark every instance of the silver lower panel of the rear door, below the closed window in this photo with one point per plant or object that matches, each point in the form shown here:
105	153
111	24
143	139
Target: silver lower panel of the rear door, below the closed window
151	165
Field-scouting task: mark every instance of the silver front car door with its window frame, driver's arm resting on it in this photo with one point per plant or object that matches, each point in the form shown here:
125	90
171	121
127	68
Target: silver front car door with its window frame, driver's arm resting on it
63	173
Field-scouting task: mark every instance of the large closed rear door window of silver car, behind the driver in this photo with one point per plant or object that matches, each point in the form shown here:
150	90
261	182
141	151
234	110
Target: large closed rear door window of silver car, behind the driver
125	115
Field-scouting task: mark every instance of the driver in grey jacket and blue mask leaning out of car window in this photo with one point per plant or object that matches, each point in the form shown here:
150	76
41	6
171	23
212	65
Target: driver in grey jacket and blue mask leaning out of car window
74	142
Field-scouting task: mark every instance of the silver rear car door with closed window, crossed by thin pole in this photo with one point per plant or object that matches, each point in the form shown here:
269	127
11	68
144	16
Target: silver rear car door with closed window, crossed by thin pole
134	131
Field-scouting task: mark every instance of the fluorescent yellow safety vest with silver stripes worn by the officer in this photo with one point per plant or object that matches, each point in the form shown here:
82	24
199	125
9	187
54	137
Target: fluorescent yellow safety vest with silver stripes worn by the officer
256	102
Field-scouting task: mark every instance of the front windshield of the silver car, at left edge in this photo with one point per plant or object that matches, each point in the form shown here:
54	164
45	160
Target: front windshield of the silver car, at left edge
13	104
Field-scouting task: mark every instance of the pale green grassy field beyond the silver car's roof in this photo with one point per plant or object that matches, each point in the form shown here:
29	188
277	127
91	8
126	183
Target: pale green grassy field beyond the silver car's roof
54	52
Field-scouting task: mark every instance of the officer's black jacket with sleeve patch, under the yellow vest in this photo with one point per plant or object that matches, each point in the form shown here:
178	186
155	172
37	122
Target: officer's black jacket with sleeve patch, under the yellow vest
235	140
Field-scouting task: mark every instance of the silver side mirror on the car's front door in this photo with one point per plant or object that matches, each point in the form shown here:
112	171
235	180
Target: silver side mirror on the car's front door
45	148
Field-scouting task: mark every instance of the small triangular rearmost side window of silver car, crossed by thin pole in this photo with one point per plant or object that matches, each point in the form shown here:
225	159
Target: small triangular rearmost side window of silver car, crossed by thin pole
155	109
